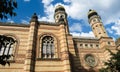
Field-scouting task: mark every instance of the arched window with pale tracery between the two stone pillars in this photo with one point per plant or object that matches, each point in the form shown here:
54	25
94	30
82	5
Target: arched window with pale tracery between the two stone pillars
47	47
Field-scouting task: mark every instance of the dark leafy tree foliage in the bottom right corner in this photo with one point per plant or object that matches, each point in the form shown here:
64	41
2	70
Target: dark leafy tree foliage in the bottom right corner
113	64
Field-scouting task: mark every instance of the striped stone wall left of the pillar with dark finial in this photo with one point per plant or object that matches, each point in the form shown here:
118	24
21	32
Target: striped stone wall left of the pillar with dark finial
20	33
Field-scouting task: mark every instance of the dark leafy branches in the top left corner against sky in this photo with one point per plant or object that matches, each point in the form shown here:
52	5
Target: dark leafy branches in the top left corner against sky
7	7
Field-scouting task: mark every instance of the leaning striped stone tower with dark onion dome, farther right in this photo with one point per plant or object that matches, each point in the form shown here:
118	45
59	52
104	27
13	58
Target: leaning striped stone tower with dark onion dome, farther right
96	24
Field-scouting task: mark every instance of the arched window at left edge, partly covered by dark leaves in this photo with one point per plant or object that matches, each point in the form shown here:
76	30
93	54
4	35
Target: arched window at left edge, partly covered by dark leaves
8	45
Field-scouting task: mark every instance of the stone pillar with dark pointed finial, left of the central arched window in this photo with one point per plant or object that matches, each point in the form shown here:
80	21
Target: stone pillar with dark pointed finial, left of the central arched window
30	51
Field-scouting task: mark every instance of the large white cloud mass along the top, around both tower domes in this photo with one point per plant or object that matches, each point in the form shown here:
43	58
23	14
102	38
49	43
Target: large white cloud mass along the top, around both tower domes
109	10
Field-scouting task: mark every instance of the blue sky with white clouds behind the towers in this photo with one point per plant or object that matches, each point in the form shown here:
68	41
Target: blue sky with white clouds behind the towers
77	10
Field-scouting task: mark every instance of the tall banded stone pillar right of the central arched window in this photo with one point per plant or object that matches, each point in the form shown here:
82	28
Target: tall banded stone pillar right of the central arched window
64	49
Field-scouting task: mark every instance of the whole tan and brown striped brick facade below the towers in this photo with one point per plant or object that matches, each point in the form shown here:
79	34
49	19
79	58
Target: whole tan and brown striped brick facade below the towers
70	53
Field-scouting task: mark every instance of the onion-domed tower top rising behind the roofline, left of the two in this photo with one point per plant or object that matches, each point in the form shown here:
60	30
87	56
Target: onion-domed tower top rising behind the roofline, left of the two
60	17
